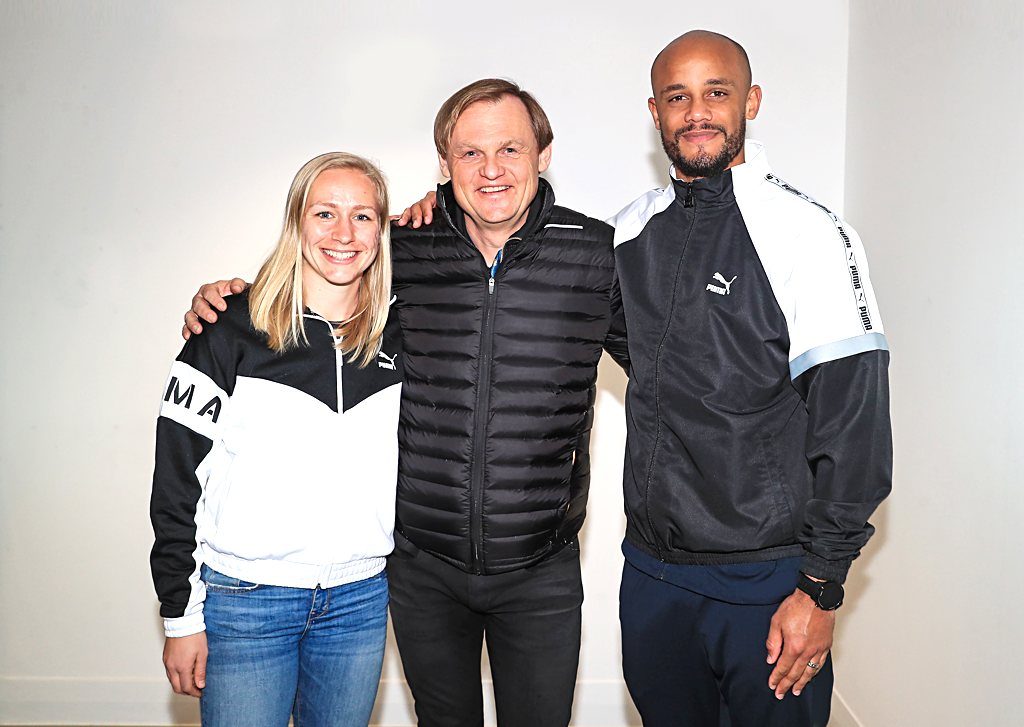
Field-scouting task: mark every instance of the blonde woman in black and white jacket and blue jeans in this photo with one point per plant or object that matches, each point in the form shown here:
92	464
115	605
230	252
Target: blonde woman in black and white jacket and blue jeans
277	458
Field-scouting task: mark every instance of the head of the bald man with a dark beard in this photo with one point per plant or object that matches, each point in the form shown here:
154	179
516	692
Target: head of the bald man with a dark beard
703	99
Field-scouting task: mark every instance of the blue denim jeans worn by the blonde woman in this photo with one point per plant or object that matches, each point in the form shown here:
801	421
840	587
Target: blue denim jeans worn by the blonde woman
276	653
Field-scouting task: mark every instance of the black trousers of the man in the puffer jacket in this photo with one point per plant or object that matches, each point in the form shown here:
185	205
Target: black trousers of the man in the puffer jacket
531	619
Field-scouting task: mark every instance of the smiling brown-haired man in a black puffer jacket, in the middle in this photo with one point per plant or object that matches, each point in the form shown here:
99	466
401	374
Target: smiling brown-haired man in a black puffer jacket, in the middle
506	302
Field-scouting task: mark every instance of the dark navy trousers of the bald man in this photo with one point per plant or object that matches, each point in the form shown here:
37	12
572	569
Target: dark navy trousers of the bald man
691	661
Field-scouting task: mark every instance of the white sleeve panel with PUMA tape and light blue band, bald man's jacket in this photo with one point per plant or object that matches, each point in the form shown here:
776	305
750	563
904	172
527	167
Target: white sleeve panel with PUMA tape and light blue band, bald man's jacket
819	272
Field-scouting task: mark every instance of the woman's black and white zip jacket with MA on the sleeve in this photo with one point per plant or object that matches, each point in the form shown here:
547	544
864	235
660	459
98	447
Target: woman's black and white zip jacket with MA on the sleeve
275	468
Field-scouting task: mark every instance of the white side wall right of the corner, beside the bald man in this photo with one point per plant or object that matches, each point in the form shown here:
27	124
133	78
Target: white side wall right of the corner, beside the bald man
934	159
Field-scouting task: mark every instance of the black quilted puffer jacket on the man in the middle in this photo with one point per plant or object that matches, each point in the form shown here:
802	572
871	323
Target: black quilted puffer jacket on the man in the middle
500	373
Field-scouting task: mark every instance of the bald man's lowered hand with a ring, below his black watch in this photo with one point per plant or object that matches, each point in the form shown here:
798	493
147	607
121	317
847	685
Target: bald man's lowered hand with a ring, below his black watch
801	634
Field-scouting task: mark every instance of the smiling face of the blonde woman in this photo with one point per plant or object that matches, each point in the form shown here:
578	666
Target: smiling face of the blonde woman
340	237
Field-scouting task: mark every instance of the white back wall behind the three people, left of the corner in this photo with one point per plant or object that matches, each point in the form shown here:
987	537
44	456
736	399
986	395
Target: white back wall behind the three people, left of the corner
147	148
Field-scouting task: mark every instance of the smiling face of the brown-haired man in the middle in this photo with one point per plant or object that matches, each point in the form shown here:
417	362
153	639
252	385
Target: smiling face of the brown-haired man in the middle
494	163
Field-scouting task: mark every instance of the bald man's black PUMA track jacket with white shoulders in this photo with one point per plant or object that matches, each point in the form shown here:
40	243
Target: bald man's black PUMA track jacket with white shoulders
758	406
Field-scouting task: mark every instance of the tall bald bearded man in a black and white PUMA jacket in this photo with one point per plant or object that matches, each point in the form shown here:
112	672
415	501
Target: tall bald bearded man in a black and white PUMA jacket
758	430
